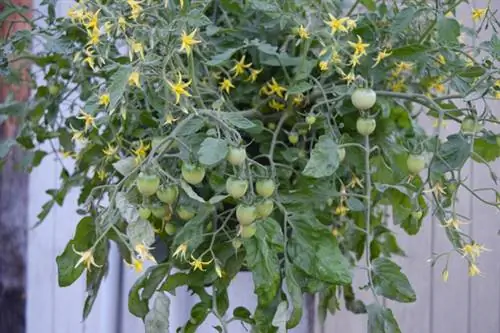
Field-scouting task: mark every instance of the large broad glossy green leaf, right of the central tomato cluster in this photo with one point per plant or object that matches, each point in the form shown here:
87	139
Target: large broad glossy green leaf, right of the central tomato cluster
313	249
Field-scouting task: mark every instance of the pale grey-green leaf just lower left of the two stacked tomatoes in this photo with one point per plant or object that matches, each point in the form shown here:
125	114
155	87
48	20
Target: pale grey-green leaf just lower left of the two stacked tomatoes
324	159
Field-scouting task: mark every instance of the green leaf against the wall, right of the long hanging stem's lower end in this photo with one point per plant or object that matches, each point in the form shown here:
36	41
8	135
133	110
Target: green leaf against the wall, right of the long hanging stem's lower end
390	282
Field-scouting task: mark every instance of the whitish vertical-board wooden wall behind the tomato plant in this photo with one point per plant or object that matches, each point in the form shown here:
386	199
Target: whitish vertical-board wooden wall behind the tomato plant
462	305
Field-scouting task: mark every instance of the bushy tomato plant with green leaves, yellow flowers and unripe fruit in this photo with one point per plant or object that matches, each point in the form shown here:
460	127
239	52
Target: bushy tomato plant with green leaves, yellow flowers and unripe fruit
166	89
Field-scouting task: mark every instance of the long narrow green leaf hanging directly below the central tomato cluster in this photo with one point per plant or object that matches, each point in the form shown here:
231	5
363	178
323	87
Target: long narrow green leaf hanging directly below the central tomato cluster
262	261
